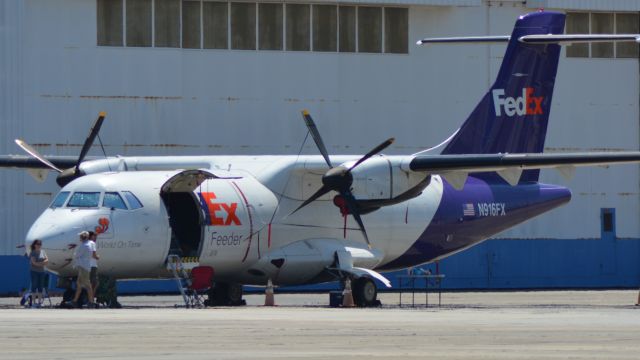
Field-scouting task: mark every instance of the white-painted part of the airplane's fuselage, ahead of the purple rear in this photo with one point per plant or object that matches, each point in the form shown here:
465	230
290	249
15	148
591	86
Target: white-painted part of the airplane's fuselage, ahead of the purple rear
249	217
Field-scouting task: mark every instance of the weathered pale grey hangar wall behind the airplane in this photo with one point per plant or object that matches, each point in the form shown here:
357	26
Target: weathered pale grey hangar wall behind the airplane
162	101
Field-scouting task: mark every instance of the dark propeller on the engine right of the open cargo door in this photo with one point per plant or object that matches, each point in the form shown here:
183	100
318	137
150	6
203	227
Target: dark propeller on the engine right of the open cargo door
339	178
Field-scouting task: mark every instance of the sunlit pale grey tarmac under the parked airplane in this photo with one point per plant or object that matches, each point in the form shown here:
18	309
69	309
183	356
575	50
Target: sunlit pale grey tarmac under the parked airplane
470	325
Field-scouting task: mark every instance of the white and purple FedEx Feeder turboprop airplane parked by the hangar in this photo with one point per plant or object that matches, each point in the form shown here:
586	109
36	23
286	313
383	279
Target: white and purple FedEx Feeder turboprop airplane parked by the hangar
310	219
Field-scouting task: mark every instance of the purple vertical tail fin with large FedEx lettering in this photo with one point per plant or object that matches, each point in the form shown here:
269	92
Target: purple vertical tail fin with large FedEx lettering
512	117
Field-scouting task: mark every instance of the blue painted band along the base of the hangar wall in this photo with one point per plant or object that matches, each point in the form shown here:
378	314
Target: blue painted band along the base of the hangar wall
494	264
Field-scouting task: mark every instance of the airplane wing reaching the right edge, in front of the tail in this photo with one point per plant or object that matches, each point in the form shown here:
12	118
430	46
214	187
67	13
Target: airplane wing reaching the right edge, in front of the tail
455	168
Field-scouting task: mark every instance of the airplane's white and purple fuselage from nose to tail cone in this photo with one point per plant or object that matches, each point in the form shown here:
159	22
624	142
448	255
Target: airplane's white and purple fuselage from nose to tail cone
239	220
